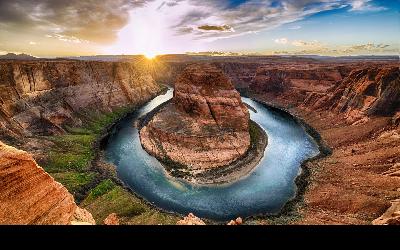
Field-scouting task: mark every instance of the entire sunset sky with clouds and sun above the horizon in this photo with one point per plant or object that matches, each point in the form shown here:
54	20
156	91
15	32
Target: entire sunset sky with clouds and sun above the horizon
50	28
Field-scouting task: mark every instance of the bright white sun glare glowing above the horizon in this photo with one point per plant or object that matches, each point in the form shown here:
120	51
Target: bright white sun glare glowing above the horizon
150	33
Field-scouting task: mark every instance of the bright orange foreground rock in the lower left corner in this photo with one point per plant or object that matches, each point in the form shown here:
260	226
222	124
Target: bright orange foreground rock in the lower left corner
28	195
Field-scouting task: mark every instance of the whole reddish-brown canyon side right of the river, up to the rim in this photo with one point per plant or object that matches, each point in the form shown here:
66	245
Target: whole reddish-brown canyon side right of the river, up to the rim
358	117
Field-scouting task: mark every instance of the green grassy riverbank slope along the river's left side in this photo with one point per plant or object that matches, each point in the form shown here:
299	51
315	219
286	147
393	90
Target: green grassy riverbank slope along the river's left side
73	161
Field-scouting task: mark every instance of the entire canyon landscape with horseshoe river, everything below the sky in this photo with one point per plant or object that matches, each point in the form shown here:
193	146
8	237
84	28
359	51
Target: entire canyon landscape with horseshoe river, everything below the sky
116	147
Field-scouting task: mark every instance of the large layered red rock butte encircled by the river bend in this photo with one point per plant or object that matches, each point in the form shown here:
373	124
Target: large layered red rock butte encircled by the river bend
205	126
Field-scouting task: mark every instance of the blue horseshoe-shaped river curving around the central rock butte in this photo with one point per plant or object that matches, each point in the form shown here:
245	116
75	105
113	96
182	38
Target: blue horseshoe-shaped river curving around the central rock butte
266	190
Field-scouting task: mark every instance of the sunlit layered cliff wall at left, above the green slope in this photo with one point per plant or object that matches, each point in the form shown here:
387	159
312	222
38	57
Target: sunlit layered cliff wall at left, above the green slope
41	97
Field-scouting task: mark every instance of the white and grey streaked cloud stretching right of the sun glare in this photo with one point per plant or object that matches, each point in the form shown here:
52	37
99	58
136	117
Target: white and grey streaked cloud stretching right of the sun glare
250	16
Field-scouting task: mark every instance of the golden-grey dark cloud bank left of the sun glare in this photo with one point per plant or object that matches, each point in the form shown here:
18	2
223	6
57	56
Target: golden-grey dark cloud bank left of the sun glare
88	20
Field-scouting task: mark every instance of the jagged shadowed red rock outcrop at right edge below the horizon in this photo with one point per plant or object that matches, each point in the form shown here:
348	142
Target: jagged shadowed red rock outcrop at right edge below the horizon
365	92
